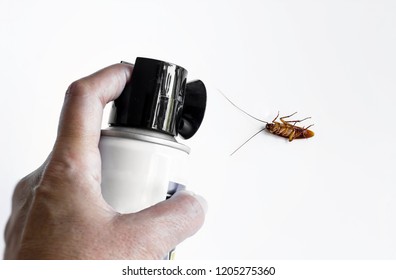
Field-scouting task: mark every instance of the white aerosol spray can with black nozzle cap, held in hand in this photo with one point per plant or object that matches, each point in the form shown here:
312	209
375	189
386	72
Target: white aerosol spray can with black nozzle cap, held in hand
142	163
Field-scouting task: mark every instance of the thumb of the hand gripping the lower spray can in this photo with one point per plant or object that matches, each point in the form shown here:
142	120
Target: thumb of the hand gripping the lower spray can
159	228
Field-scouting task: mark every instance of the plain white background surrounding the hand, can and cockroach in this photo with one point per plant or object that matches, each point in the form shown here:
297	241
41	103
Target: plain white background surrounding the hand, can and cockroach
328	197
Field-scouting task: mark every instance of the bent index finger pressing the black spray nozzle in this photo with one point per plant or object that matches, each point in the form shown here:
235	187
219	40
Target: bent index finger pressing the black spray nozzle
85	99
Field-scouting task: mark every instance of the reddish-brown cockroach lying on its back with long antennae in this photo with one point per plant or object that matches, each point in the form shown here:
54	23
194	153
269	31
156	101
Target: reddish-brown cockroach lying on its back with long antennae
286	129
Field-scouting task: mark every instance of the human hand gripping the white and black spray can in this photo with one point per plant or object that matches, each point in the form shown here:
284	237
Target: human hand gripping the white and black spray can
58	211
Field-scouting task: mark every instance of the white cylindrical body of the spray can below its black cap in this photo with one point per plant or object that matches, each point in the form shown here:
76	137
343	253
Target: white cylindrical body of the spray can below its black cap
156	166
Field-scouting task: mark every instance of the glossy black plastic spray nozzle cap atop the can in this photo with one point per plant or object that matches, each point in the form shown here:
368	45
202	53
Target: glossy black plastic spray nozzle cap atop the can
159	98
